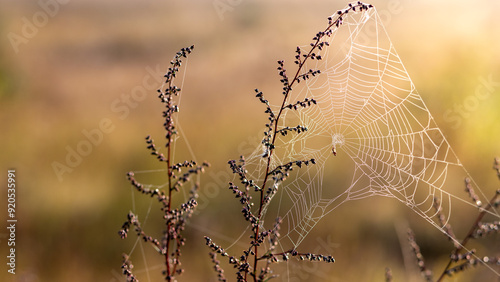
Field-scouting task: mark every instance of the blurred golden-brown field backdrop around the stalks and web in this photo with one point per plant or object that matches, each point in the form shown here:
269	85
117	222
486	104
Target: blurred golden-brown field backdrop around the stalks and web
69	74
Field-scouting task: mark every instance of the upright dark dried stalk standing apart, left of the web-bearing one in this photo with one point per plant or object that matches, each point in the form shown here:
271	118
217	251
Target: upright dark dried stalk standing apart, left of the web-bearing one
178	174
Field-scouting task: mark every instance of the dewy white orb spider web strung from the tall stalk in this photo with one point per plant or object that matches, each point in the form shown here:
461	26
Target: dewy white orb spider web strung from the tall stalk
385	139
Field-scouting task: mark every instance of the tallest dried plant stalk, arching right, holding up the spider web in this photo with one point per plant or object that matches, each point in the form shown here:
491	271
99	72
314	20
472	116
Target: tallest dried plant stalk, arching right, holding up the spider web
248	263
